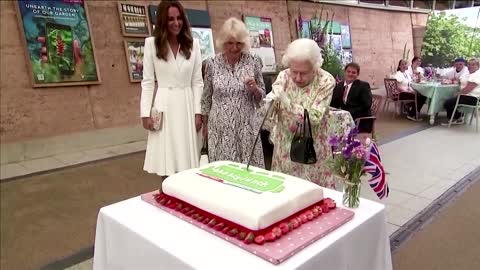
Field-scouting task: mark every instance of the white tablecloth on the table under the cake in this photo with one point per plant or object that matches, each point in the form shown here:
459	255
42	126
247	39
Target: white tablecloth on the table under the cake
135	235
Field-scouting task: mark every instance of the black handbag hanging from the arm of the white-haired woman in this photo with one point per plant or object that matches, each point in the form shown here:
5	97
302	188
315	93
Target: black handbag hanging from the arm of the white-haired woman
302	149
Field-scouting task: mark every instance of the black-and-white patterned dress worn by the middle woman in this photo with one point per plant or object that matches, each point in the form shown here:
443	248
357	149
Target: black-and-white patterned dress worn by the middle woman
232	118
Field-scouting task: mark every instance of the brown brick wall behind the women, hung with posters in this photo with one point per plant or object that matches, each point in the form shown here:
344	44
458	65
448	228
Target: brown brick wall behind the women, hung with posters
378	38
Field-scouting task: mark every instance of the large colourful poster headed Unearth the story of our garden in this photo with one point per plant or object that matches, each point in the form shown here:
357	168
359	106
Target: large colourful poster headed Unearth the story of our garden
58	42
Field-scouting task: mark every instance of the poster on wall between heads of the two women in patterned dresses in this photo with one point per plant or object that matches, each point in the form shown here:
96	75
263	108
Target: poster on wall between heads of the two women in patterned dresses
261	38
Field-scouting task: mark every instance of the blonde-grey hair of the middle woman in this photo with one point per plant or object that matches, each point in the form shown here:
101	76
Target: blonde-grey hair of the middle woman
233	28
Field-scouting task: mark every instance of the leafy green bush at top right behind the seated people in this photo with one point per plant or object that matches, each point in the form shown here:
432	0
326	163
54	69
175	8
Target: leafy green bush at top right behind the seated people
446	38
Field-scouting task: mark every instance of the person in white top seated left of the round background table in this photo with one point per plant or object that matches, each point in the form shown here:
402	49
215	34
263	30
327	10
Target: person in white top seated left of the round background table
404	81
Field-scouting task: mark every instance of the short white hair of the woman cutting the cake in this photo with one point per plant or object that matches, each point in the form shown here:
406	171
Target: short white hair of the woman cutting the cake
303	49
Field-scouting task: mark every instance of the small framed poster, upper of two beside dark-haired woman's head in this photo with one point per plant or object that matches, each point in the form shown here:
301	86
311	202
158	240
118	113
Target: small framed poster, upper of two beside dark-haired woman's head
133	20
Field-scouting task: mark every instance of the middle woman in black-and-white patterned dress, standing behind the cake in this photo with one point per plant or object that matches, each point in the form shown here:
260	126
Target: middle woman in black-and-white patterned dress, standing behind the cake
233	87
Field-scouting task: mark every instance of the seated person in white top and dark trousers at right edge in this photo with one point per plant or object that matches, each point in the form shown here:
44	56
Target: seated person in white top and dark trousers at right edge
470	93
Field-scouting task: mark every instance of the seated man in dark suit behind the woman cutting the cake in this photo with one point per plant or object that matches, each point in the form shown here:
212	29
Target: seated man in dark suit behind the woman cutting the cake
354	96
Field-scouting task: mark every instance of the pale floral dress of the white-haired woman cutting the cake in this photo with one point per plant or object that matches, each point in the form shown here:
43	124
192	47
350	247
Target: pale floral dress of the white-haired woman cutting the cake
316	99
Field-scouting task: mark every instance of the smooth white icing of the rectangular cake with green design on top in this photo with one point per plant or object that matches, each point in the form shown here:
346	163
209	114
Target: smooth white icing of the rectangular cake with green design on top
257	199
